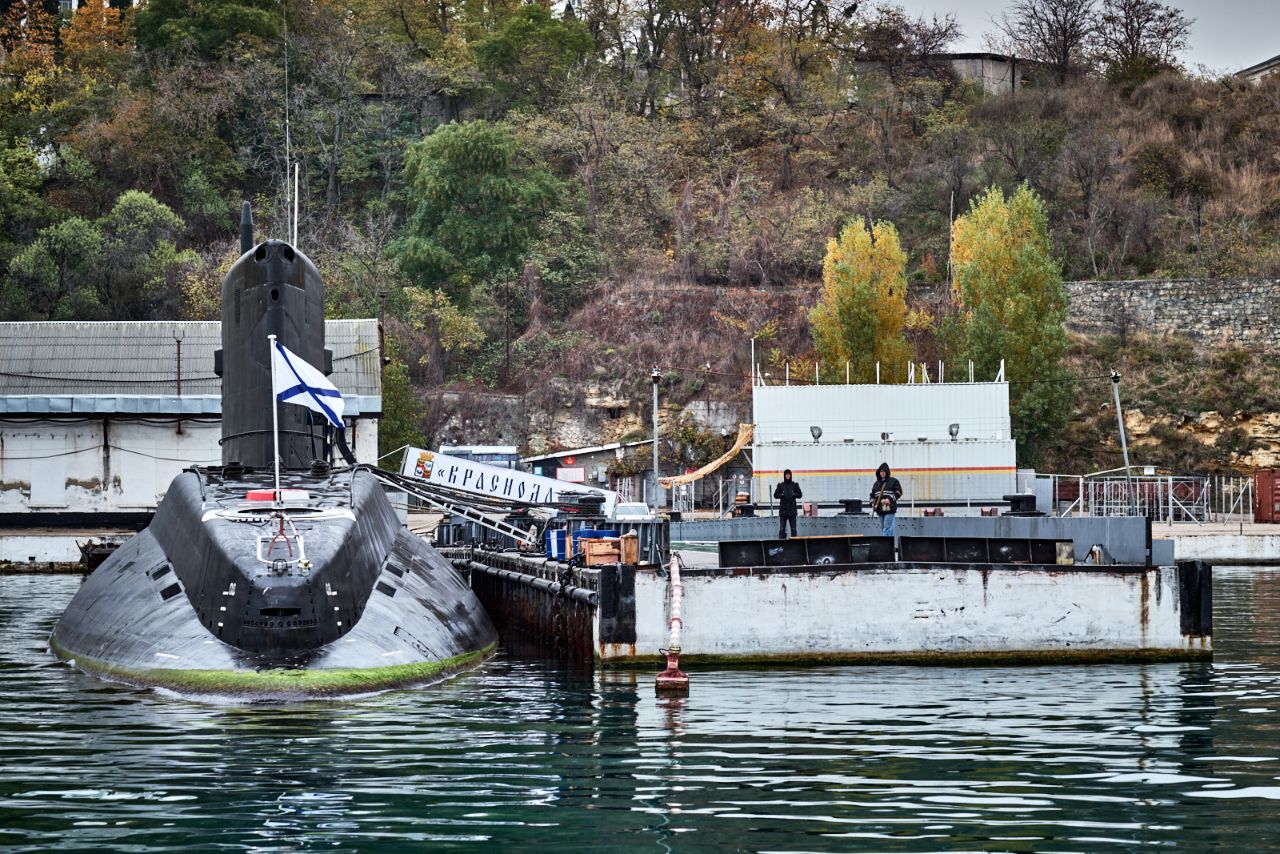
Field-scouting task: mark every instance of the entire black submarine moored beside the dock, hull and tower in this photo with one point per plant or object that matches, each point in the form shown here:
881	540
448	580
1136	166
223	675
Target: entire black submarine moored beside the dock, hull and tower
275	577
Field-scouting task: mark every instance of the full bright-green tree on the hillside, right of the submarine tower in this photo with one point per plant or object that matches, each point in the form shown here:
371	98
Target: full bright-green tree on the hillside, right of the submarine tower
476	204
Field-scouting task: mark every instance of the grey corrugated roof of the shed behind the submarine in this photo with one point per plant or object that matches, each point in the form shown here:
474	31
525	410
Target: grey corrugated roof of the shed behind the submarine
61	359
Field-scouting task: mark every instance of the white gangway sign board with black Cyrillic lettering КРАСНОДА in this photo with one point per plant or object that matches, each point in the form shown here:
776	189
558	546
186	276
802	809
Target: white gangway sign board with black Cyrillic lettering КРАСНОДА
493	482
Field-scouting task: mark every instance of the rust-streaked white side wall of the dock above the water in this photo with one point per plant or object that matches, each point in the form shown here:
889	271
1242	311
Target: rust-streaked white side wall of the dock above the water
941	611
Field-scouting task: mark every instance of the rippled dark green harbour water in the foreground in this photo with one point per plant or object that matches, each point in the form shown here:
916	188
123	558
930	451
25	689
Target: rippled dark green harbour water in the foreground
525	756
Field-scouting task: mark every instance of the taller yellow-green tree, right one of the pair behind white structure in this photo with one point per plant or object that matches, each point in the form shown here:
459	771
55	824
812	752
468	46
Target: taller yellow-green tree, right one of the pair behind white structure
1009	287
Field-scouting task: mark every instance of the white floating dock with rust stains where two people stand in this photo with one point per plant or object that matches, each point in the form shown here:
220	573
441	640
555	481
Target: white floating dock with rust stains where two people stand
950	591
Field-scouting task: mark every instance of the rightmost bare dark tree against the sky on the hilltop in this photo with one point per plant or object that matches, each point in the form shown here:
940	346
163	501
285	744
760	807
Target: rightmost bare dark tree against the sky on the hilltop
1140	39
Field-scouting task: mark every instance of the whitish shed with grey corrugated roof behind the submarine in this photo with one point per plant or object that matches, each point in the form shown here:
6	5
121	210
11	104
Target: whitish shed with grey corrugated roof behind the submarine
99	418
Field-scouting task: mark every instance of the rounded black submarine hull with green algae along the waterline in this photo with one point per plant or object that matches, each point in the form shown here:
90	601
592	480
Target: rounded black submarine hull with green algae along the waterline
220	596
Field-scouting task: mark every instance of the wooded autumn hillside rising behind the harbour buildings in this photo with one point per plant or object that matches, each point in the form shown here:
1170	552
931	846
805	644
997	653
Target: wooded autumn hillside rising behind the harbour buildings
547	202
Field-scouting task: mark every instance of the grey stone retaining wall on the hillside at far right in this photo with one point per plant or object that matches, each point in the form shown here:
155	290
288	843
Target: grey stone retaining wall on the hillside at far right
1241	312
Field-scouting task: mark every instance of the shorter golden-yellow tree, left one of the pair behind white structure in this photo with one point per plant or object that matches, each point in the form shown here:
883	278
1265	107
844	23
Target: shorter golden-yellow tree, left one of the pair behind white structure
863	308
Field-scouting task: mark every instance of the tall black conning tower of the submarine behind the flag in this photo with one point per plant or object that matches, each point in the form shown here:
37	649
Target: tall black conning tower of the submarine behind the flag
272	290
